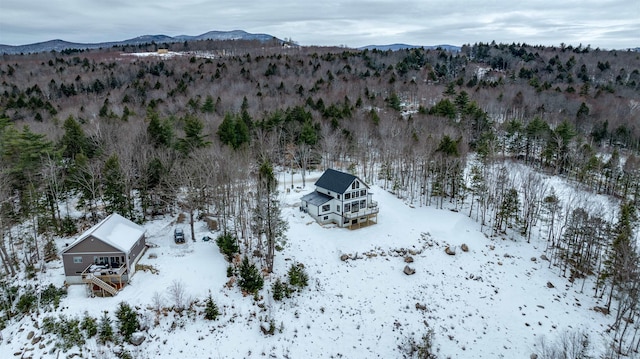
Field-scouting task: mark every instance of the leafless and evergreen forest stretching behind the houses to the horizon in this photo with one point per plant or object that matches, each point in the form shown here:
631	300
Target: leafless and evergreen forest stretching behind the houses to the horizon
213	129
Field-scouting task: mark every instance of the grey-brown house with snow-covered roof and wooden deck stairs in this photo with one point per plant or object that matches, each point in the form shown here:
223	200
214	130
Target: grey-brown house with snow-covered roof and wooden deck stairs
104	257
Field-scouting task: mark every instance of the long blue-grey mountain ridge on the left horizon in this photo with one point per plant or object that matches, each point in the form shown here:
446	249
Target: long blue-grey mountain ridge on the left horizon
60	45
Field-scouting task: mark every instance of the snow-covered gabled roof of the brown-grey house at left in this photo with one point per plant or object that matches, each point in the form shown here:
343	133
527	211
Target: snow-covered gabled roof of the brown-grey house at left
115	231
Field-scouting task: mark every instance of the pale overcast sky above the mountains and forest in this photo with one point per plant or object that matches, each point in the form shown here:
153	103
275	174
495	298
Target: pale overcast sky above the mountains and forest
608	24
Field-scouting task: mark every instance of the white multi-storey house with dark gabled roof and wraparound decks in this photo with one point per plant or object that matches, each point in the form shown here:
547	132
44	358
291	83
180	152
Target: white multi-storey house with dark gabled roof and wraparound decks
341	198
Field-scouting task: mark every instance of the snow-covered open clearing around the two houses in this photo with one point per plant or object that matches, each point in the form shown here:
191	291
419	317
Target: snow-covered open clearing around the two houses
494	301
